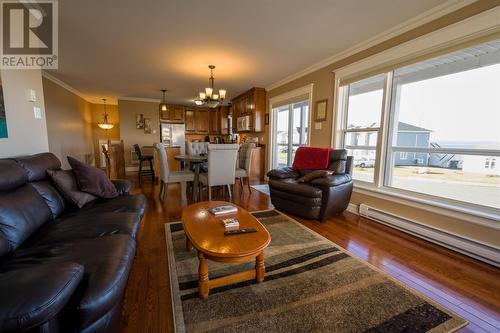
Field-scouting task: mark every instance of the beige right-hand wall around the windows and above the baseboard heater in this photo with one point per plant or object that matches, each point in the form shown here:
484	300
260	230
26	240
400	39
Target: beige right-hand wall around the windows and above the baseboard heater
323	88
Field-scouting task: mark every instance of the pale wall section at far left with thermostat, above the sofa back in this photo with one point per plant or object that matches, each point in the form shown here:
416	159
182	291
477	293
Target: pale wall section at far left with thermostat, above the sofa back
26	134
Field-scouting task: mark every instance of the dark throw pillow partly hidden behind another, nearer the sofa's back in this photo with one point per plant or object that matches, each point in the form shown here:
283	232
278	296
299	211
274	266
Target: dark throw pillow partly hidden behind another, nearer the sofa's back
66	184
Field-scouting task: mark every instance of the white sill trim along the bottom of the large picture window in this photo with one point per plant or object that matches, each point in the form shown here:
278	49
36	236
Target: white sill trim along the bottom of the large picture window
442	207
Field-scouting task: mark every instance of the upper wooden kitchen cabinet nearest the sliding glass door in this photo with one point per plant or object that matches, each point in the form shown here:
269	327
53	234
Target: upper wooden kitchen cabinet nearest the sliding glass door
251	103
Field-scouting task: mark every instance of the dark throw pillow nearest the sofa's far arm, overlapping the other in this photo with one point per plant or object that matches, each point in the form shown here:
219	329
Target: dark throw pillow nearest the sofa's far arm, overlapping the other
92	180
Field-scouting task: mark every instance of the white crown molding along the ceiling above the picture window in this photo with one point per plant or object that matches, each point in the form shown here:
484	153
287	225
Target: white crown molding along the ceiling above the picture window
421	19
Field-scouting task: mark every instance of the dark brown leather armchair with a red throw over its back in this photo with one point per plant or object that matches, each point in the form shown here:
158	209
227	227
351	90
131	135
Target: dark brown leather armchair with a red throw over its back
319	198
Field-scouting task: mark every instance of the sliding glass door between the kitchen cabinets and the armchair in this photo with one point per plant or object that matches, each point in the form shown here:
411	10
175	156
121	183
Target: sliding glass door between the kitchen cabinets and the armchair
289	131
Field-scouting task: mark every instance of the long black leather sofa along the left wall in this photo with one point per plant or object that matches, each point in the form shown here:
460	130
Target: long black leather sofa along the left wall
62	270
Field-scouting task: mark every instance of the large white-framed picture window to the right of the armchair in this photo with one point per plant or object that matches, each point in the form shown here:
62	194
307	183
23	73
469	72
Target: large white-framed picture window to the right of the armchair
442	127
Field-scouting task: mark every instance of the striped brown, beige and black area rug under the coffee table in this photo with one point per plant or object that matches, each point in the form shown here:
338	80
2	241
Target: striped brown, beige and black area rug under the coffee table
311	285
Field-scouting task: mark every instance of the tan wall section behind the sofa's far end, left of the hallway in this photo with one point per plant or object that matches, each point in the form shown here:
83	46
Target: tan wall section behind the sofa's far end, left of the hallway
69	124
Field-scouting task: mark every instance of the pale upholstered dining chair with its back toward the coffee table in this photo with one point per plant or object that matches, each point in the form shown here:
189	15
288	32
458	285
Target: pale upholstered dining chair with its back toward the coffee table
221	167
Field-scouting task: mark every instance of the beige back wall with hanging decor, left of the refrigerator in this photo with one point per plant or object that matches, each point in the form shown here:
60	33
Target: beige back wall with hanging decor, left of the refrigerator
129	134
